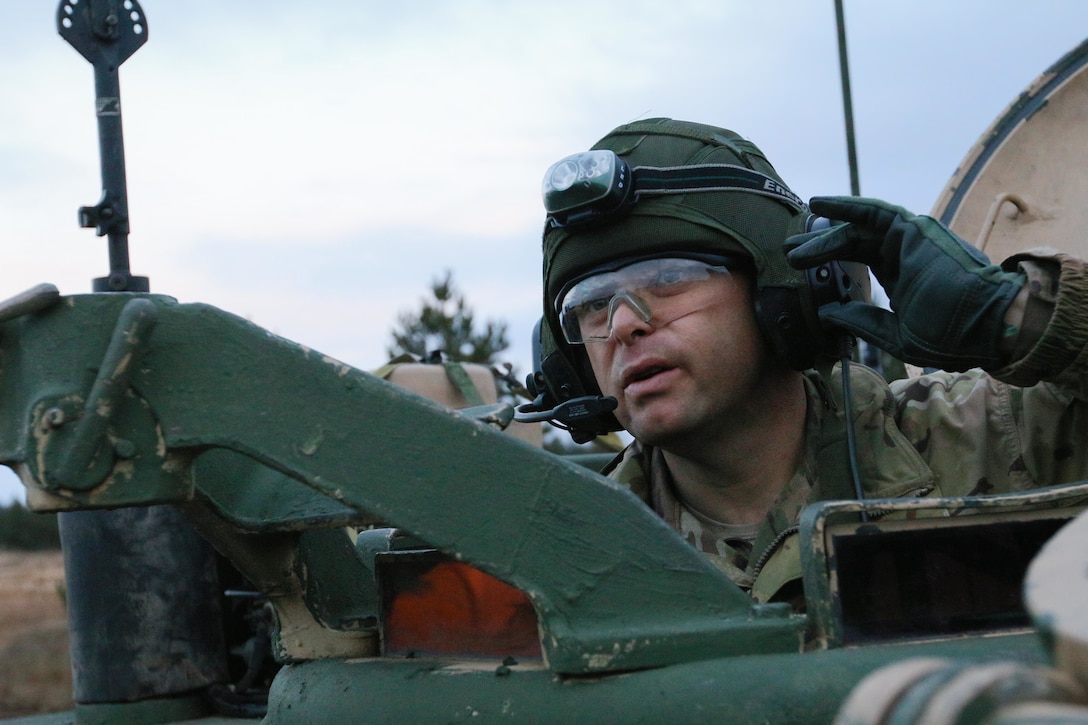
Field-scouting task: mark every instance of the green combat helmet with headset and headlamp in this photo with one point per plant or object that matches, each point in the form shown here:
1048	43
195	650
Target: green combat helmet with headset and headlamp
673	189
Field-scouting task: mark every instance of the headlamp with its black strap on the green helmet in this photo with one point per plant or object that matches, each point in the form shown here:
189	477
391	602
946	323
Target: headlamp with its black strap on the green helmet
592	186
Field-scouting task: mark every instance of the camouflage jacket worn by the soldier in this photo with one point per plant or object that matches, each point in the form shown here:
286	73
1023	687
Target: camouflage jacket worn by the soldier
944	434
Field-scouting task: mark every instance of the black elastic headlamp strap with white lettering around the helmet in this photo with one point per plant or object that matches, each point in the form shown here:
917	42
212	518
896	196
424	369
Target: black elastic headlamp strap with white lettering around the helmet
712	178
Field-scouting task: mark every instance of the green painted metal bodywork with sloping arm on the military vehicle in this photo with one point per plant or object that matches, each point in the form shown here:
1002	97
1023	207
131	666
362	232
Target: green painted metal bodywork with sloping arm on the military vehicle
152	402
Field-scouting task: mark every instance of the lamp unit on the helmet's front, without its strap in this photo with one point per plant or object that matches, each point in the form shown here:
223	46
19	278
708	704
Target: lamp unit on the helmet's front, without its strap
584	185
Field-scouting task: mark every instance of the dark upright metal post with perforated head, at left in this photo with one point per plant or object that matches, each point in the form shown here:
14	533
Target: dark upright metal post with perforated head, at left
107	33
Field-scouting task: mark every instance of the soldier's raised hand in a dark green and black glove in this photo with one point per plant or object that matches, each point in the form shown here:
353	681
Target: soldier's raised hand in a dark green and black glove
949	302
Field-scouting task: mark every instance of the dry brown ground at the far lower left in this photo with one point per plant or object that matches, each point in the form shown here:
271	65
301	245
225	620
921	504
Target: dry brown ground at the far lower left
35	672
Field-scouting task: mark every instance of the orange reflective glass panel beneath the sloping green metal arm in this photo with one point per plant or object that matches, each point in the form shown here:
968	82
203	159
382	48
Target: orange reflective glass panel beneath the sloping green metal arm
435	606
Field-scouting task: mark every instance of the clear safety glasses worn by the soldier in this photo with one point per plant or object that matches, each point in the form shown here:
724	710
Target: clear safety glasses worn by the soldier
659	291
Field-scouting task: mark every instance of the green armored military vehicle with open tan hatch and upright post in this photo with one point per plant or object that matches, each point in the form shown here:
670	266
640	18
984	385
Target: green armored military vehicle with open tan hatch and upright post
372	556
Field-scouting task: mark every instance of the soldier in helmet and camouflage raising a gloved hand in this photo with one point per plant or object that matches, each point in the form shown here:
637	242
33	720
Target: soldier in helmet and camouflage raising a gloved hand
684	279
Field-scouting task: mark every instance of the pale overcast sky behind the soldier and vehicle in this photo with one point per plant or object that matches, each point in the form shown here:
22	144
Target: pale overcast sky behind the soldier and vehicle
314	167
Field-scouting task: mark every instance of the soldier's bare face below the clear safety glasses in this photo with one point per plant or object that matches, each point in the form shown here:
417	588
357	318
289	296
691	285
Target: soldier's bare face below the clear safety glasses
675	384
